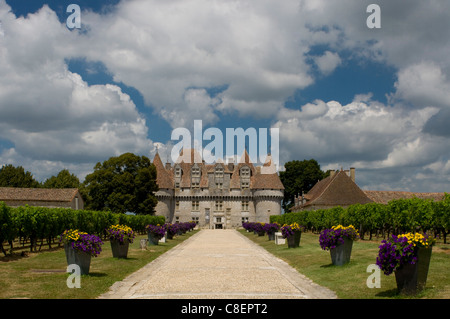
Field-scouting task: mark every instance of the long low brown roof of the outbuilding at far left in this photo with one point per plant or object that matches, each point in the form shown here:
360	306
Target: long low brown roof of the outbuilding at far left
37	194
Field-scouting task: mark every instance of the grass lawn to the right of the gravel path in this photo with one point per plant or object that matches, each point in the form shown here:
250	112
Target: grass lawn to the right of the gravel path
349	281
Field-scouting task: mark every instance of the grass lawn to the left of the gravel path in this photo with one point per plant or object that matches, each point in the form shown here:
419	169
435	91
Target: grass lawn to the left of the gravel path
43	275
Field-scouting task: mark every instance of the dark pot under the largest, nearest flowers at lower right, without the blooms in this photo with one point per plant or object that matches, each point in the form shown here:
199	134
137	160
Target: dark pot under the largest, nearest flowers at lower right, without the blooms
411	278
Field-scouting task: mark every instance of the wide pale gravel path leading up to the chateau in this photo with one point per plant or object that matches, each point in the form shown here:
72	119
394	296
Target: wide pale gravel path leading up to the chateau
221	264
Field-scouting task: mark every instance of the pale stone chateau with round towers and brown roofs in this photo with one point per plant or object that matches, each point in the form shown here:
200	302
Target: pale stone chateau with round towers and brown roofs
219	195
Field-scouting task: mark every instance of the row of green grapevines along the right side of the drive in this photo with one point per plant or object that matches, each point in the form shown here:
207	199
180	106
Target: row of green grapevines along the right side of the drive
398	216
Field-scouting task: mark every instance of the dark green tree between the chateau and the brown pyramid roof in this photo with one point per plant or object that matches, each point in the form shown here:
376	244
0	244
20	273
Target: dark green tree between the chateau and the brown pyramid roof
298	177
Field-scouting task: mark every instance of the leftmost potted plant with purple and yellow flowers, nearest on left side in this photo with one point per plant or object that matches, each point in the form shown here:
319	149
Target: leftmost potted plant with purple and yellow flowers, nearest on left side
80	247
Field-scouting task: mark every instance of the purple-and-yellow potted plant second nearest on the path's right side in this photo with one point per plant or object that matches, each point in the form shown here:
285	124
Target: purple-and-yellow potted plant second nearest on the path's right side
339	241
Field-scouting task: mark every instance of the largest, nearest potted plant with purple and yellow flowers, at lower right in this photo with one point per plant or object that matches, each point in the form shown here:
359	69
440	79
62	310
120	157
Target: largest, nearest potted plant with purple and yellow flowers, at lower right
408	256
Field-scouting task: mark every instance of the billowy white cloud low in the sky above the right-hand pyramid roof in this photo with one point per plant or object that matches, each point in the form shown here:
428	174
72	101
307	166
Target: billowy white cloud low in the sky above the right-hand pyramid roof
366	134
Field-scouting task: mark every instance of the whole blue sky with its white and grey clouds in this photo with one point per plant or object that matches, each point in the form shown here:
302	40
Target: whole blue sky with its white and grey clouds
344	94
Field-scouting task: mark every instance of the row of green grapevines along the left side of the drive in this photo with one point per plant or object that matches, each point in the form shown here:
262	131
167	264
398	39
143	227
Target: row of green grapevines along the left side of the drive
42	223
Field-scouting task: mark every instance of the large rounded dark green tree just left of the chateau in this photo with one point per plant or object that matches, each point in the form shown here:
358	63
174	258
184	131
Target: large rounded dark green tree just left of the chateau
126	183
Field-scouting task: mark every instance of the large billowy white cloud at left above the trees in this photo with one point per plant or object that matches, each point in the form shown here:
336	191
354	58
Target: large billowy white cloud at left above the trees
50	114
